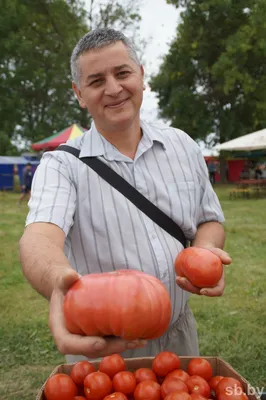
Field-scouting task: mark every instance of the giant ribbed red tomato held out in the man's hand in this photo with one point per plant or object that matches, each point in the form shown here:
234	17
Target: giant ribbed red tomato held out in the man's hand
124	303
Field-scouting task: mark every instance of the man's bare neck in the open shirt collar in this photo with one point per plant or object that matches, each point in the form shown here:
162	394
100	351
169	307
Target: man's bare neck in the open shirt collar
126	141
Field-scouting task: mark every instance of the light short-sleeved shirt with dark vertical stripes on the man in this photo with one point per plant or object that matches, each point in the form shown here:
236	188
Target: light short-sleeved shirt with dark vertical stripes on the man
105	231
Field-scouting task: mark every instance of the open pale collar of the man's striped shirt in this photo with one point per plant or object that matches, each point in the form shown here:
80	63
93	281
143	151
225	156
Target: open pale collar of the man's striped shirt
95	145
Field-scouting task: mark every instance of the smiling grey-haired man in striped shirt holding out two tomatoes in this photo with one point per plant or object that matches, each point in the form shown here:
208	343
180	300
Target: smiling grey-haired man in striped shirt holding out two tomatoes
79	224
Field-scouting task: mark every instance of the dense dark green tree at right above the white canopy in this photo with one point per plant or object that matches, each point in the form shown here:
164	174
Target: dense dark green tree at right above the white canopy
213	79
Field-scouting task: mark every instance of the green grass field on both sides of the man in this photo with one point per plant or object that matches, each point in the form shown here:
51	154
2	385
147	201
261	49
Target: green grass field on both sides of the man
232	327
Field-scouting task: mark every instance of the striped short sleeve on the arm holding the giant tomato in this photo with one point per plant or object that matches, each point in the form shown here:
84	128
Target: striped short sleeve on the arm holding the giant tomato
53	194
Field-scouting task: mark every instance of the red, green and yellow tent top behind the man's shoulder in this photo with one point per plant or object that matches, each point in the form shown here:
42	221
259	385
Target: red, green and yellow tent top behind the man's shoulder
52	142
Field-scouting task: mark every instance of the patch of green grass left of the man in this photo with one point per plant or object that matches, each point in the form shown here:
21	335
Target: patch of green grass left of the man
27	351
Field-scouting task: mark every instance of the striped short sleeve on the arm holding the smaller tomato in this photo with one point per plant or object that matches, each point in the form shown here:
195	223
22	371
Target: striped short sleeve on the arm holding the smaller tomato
210	208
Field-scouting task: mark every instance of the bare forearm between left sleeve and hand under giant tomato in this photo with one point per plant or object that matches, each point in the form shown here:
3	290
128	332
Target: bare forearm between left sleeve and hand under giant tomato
42	257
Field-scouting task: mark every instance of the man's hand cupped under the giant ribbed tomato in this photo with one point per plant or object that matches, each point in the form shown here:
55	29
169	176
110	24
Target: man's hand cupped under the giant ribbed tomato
68	343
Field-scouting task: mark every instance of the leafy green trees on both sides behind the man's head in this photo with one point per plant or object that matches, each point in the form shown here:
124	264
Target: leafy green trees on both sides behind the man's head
211	81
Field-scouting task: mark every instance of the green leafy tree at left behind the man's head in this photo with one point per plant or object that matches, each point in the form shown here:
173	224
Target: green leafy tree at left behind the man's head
36	41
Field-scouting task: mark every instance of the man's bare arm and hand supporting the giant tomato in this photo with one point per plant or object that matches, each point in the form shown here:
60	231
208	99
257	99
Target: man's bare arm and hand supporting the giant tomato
47	269
